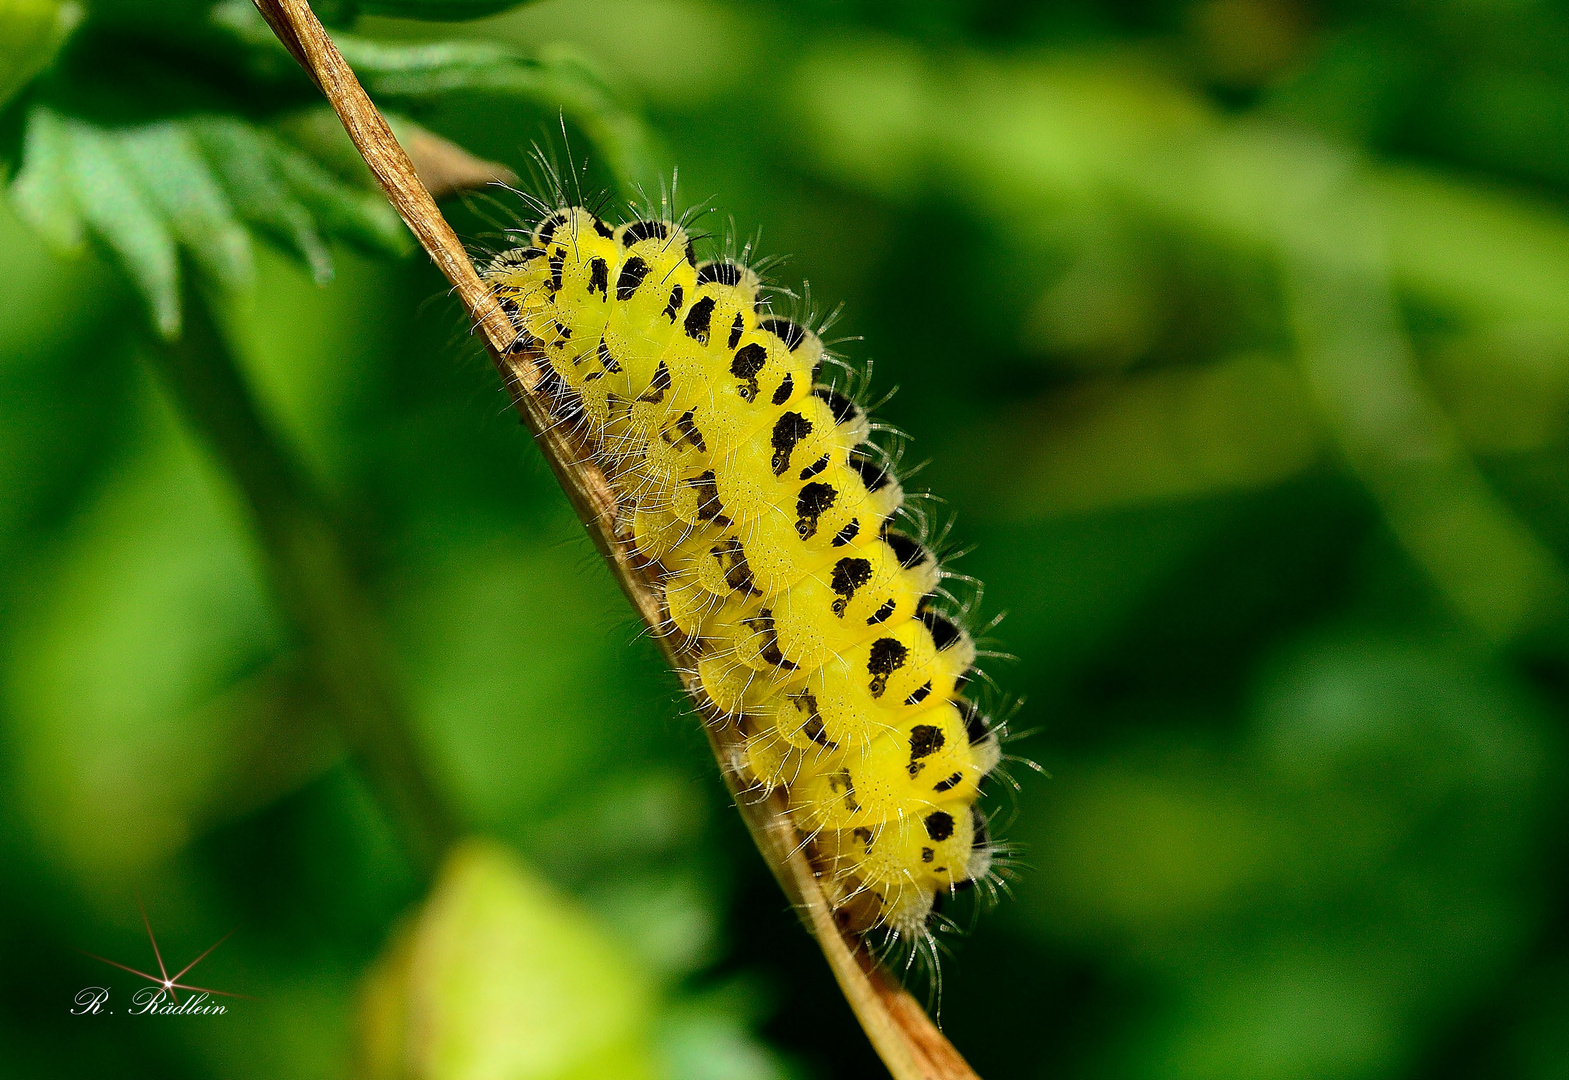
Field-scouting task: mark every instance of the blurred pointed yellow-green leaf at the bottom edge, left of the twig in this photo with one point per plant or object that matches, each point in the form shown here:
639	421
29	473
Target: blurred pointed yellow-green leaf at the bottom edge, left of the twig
500	977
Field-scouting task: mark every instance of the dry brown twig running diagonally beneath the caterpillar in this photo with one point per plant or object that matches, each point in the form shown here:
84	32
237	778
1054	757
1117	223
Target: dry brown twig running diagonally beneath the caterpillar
898	1027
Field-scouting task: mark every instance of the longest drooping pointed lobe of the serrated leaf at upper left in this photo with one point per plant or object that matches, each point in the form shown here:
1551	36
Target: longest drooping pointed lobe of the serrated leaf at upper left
128	219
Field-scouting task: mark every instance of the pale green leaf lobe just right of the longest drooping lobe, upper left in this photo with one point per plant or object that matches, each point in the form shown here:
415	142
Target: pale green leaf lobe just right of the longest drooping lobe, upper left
173	170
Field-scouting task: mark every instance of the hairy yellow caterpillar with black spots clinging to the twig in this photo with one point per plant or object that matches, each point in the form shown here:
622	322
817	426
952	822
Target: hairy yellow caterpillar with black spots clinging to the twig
754	489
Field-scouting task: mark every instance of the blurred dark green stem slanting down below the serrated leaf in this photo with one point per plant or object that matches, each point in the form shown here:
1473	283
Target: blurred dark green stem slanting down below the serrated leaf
310	561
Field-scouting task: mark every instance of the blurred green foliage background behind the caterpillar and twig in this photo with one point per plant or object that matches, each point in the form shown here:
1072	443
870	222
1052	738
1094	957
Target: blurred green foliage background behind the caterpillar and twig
1237	338
